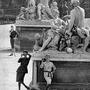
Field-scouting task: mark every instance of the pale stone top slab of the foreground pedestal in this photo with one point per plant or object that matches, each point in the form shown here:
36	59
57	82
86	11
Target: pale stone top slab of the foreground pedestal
62	56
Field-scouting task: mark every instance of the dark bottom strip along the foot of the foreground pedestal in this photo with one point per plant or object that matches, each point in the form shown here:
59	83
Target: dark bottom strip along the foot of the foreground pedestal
67	86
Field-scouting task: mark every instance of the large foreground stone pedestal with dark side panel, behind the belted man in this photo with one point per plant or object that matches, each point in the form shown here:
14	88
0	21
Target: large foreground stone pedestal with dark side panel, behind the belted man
72	70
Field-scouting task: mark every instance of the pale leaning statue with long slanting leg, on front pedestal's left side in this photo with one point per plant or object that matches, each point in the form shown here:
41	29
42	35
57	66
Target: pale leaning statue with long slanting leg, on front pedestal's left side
53	36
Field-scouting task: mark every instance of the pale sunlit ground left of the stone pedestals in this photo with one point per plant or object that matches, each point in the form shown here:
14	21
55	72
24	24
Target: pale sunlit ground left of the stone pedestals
8	64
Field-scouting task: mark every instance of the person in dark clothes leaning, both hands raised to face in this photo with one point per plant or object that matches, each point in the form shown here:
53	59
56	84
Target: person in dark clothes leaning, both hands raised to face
22	69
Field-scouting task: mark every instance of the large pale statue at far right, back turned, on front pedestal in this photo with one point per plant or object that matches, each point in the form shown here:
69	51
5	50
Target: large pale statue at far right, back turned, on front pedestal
77	20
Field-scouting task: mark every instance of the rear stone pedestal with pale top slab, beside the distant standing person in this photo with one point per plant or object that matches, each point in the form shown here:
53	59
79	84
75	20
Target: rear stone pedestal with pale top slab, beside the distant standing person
27	30
